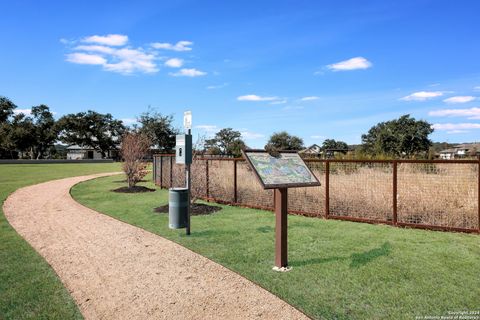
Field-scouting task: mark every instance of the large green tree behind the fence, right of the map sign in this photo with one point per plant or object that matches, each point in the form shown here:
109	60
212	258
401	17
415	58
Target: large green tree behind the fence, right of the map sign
402	137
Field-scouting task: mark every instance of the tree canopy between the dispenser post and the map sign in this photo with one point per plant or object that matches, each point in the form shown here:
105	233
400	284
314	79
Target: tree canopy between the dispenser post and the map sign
226	142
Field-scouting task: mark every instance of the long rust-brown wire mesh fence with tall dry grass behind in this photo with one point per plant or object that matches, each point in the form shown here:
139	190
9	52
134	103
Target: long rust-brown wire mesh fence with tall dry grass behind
428	194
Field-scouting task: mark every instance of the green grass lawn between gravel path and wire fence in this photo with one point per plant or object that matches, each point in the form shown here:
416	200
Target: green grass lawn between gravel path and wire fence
341	270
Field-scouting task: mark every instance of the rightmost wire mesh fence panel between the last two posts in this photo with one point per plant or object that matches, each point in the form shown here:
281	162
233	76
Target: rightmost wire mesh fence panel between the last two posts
440	194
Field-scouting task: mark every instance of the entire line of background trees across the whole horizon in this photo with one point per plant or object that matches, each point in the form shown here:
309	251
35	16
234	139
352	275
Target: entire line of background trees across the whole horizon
35	135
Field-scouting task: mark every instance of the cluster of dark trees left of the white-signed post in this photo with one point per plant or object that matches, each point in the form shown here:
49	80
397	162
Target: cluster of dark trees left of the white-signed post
37	135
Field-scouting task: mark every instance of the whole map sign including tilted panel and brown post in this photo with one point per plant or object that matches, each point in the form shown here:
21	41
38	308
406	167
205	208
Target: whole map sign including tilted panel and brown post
280	172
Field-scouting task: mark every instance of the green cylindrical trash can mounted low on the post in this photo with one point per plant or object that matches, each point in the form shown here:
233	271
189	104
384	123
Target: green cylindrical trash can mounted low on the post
177	208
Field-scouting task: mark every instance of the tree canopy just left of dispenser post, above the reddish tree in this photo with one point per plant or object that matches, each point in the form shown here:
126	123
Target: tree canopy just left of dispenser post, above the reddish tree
159	129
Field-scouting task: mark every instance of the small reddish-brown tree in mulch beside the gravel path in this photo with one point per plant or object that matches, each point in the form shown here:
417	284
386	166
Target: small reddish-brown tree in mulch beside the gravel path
135	147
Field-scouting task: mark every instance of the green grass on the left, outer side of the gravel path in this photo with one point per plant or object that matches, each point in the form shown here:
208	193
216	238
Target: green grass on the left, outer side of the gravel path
29	288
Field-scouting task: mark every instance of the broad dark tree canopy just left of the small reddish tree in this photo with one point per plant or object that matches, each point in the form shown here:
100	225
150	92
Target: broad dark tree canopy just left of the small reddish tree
99	131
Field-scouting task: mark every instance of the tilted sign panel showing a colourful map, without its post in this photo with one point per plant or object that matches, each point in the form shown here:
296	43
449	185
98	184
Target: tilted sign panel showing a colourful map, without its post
287	170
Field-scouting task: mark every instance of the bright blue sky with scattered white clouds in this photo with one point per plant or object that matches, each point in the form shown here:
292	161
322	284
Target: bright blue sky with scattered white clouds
318	69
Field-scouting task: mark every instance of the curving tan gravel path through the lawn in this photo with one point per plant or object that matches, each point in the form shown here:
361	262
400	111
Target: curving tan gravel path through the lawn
117	271
